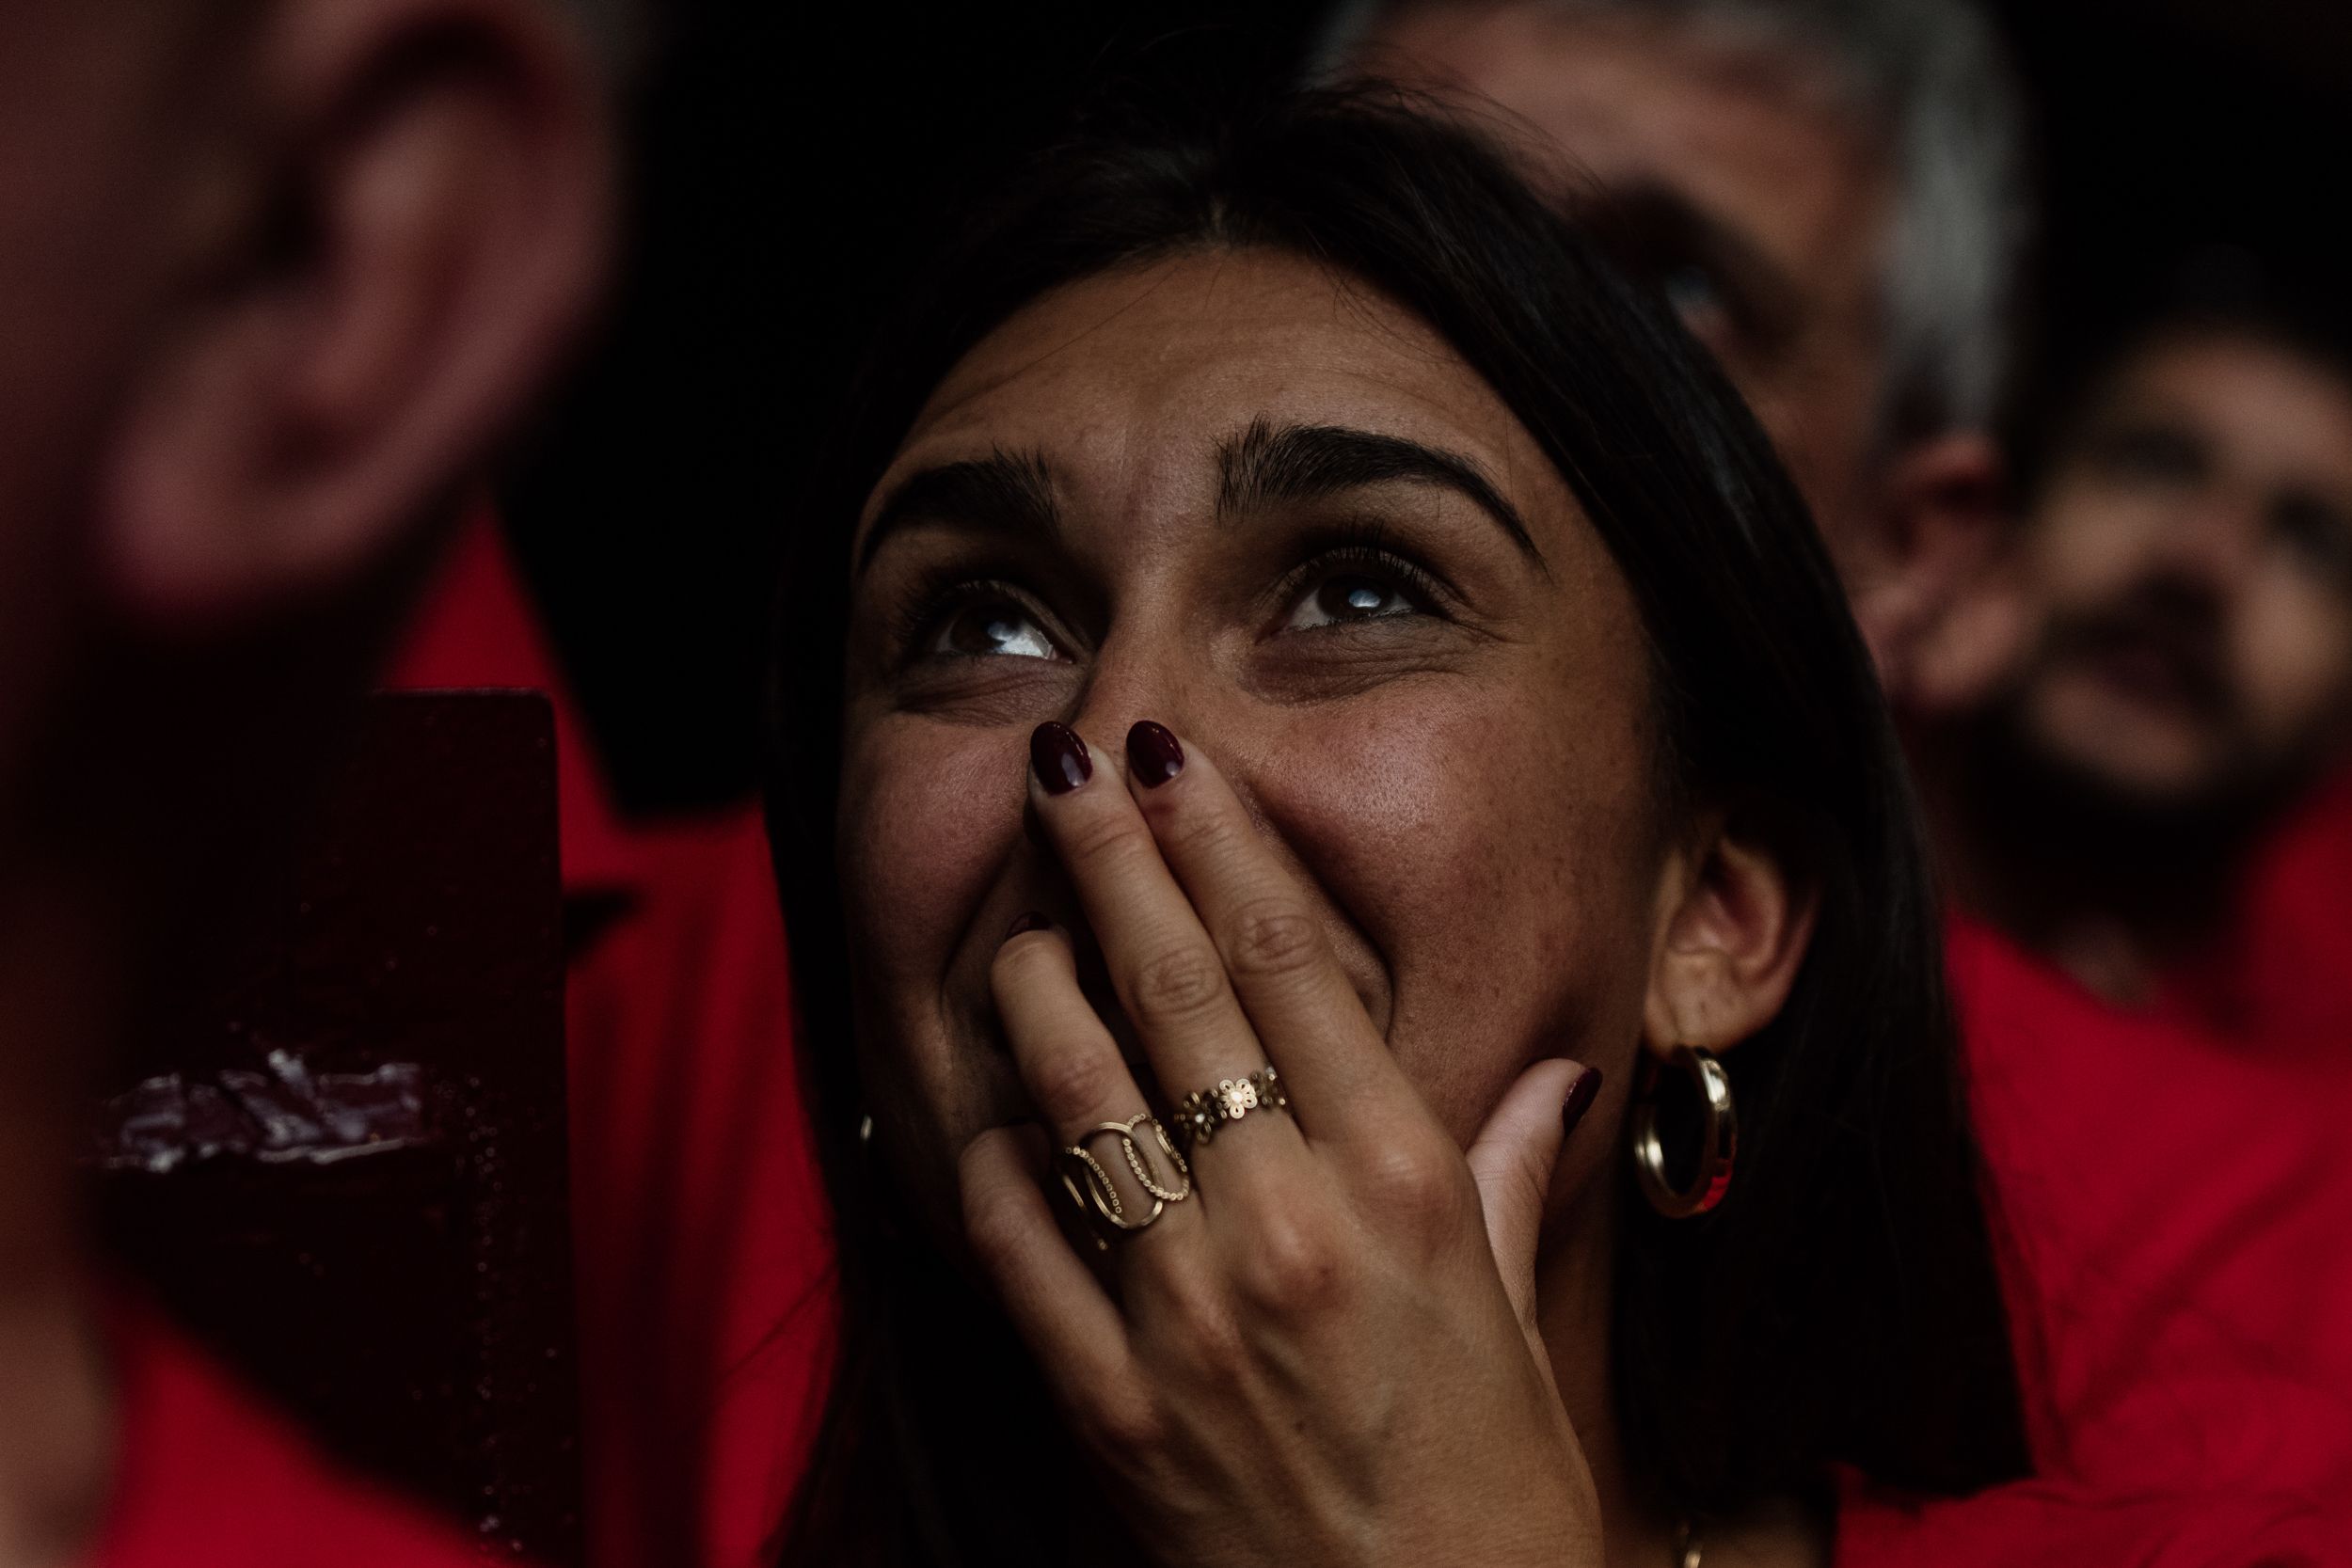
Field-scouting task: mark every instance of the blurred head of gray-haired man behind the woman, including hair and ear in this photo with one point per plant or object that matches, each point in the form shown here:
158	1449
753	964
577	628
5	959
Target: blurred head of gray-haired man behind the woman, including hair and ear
1829	192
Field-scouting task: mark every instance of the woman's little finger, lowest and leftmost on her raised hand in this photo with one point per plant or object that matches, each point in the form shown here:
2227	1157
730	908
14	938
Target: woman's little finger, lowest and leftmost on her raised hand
1055	1304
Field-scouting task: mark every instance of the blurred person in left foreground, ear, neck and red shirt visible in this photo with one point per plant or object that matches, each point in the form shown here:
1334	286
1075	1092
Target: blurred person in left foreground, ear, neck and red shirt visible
276	279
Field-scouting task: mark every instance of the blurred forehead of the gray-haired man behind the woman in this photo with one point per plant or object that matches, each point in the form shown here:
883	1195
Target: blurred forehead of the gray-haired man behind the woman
1756	135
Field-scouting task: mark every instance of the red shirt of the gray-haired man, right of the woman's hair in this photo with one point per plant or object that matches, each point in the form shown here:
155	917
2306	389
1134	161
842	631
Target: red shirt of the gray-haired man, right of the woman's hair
2177	1214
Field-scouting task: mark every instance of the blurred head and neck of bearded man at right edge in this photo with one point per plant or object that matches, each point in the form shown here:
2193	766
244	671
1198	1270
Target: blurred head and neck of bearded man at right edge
2184	601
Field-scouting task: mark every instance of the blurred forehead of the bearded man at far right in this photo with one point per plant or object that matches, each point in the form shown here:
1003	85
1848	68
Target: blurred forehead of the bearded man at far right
2266	403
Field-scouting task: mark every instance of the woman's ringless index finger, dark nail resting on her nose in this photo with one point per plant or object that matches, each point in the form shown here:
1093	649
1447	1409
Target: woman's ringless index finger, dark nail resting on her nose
1267	934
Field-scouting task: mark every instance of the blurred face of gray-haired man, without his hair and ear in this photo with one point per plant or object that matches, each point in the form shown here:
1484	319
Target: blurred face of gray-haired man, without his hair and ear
1735	177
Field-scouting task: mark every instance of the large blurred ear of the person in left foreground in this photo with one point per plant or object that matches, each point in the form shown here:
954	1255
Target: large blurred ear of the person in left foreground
417	227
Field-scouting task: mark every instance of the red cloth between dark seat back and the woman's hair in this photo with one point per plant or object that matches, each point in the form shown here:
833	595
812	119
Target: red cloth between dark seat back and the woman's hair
702	1242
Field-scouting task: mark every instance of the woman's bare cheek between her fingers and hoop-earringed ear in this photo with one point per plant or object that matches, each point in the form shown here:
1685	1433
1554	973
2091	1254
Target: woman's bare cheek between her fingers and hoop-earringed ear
1492	862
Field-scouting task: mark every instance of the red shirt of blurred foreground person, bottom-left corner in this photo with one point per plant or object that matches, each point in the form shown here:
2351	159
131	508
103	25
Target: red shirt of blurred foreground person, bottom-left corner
208	1480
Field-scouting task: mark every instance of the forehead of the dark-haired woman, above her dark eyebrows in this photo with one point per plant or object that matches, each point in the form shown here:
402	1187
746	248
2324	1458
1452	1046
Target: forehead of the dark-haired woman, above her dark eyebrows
1128	382
